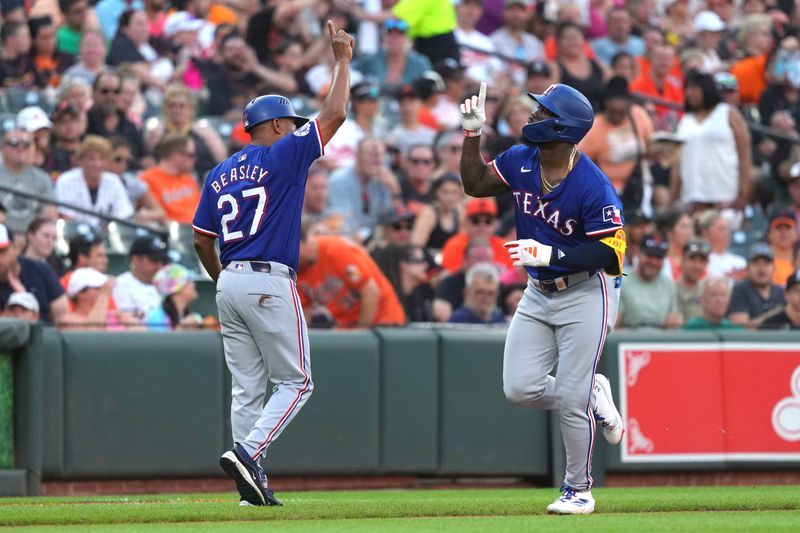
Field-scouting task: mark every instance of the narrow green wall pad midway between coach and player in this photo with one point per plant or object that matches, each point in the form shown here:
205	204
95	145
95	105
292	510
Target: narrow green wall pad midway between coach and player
410	400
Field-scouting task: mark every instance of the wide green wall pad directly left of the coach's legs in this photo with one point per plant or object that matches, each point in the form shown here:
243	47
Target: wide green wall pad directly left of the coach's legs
143	404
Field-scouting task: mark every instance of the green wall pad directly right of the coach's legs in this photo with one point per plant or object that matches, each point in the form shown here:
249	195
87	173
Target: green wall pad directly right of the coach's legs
338	430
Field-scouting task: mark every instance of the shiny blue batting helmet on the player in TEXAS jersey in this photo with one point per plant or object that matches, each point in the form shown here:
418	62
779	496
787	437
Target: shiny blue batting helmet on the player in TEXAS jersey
573	116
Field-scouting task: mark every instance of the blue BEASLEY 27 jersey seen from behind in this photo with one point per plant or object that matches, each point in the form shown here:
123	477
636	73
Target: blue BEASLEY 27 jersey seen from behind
253	200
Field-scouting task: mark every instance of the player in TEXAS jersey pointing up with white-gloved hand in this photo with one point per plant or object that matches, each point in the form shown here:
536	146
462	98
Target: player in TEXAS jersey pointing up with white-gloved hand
569	235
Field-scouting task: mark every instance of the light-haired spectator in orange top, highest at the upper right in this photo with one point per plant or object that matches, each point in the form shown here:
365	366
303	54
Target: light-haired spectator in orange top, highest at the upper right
755	37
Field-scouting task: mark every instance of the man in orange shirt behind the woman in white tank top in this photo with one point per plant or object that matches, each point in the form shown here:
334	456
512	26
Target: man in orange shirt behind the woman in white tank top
656	81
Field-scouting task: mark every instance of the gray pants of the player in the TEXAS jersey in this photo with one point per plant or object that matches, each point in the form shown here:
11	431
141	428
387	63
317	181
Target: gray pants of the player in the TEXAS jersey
567	328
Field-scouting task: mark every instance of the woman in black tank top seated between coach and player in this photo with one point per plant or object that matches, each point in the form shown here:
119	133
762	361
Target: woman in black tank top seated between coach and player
440	220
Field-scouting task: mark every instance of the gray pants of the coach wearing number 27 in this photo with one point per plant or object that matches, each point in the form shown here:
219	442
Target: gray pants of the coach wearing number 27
265	339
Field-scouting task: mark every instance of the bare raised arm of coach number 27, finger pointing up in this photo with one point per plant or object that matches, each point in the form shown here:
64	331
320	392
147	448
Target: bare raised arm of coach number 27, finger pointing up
334	110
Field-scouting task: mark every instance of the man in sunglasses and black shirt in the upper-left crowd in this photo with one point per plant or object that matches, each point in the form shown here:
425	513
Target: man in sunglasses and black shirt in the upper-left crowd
105	118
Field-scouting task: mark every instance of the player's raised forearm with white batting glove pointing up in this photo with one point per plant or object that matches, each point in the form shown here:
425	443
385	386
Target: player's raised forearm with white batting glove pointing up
479	178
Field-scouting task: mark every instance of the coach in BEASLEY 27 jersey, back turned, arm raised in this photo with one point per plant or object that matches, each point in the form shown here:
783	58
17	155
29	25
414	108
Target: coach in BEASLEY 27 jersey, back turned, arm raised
252	203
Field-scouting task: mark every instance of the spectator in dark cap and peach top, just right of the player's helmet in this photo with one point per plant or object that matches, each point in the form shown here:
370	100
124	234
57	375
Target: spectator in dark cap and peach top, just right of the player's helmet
619	140
